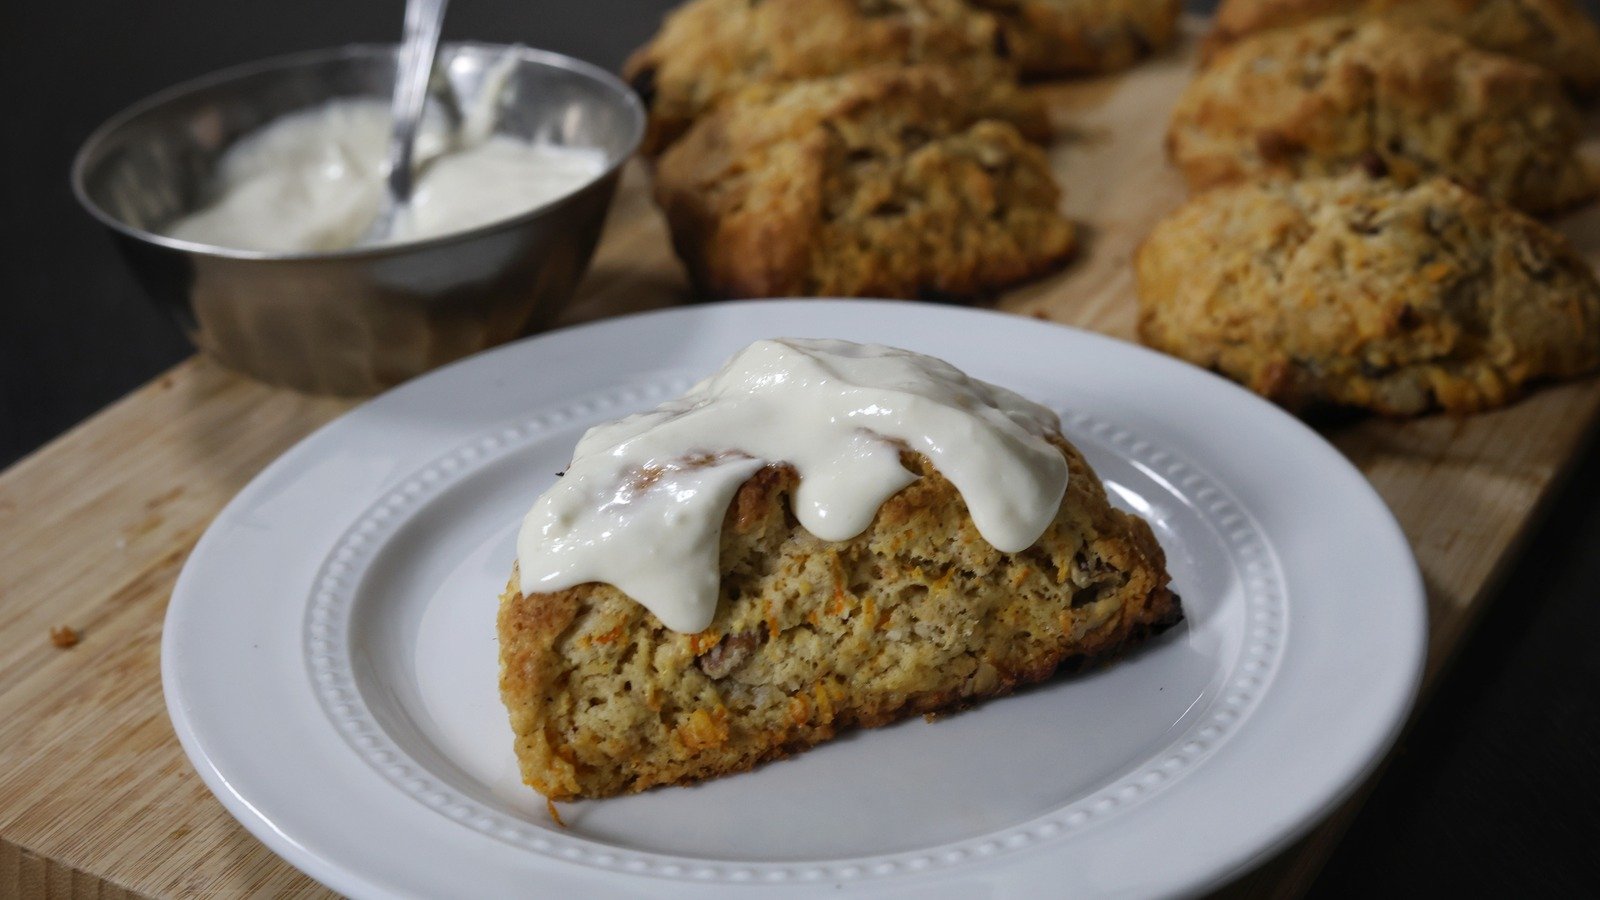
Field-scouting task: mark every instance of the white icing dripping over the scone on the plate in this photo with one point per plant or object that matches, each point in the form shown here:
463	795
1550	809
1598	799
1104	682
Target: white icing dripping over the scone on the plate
642	504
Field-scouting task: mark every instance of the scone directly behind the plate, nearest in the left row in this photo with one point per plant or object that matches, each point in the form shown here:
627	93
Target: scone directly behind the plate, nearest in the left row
890	182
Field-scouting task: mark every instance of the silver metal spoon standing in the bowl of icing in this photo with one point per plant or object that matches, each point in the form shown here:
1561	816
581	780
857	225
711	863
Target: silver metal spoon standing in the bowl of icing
415	65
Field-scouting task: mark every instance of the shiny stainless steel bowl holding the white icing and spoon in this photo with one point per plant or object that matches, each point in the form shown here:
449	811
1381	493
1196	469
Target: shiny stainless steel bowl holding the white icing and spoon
356	321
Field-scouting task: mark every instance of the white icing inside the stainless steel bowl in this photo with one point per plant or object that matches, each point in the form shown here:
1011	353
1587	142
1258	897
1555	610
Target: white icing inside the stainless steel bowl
314	180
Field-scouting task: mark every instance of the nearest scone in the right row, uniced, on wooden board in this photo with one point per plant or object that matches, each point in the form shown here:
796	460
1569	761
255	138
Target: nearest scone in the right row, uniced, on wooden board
1356	292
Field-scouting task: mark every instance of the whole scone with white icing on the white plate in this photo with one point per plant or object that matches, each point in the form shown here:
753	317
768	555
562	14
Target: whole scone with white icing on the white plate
846	536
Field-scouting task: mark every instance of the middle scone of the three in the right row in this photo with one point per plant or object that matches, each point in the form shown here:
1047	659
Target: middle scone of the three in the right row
1402	102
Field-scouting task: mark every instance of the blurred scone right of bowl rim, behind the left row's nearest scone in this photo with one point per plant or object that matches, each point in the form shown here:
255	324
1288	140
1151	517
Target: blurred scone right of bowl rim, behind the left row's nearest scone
711	49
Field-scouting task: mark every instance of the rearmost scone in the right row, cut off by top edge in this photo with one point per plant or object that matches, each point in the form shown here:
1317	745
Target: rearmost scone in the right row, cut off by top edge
1551	33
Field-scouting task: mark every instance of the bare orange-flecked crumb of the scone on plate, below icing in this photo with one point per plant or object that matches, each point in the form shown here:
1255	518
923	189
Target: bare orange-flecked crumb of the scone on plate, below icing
919	614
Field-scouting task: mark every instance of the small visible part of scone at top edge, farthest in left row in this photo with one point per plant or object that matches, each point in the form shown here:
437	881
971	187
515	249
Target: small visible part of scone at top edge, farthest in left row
1074	38
